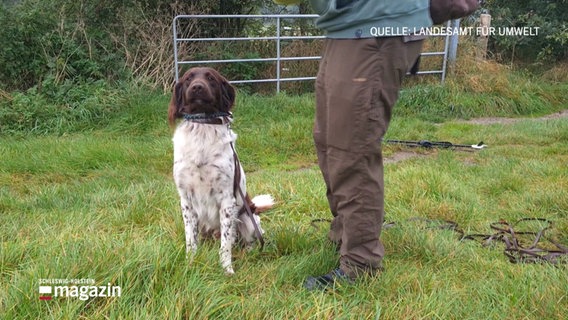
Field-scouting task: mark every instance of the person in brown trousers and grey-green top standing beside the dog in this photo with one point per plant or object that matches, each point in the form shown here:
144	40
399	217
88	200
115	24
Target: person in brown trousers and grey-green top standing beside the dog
369	48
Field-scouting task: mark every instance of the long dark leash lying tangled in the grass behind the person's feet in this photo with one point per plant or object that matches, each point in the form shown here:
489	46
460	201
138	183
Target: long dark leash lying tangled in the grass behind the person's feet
553	253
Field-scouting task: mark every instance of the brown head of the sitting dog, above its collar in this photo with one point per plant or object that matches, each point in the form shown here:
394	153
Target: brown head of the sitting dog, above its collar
200	90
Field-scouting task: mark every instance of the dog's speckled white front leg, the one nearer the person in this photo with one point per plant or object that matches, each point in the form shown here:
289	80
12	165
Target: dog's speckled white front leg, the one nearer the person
228	214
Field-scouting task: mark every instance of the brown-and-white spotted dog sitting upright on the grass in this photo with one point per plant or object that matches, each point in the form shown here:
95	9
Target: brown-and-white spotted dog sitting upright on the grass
208	176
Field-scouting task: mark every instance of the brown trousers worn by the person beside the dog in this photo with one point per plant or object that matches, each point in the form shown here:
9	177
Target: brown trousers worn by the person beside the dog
356	88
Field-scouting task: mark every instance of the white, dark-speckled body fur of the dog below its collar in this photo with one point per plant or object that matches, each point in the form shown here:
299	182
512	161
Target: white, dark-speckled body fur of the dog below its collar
204	175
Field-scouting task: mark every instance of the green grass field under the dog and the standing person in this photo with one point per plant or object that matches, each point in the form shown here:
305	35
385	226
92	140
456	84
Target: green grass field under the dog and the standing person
90	196
